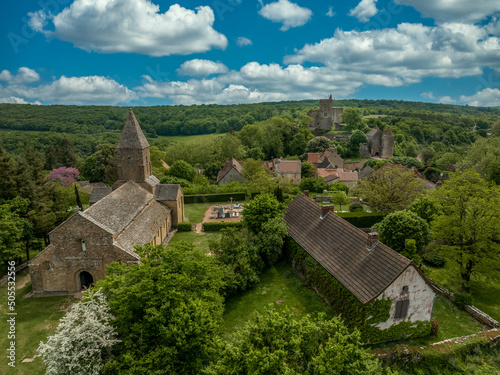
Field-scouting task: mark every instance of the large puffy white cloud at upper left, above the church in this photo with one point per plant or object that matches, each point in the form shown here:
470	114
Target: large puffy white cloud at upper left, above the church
134	26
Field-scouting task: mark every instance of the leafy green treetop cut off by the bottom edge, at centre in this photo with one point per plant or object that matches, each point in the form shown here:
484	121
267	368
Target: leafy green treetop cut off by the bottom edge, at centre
282	343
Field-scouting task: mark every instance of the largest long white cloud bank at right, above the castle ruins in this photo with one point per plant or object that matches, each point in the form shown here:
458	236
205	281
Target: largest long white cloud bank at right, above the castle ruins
406	54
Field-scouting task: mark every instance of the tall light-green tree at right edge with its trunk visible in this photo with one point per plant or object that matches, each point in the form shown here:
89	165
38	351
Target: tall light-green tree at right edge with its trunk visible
469	226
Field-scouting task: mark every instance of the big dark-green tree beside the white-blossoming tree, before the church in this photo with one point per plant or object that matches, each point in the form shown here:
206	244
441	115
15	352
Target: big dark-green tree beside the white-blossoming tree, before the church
168	310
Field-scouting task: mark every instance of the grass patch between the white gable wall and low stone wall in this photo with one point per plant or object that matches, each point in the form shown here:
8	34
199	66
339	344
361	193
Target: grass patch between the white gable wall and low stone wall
453	322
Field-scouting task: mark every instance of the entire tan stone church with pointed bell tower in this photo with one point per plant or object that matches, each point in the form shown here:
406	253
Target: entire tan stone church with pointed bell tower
136	210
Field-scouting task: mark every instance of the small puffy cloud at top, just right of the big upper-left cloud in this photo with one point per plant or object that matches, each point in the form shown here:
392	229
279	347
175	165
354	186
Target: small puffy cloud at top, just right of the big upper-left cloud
287	13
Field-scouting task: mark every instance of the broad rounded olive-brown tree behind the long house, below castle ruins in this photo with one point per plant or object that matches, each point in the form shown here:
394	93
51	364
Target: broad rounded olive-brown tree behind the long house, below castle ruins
390	188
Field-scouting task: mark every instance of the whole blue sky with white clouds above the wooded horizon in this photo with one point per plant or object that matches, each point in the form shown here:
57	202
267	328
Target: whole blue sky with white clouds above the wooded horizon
156	52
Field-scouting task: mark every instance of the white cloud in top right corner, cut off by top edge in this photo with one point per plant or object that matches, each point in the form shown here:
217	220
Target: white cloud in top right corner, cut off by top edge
454	10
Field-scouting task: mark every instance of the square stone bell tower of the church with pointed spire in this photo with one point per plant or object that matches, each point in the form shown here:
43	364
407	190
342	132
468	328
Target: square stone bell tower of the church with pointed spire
134	162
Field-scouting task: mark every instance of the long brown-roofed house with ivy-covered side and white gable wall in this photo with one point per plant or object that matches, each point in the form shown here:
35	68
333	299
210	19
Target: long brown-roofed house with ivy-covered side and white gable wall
363	266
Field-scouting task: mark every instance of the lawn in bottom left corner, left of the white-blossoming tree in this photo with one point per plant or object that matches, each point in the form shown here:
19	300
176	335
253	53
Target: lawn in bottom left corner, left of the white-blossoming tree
36	319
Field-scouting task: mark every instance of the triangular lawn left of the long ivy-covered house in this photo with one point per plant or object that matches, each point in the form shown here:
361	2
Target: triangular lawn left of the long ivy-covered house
279	283
